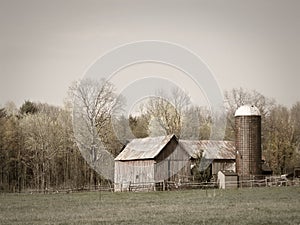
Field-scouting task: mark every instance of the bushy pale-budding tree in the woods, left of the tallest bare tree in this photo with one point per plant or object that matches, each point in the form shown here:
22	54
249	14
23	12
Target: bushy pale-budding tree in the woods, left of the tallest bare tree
43	142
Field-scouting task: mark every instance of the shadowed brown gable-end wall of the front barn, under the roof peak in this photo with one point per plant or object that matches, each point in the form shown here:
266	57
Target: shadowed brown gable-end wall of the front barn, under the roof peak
172	164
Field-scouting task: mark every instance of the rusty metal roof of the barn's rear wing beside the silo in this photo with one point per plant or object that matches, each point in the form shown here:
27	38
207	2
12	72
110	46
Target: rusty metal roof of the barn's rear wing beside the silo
211	149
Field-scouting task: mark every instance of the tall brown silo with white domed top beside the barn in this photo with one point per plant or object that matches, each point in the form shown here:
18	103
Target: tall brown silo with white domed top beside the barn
248	142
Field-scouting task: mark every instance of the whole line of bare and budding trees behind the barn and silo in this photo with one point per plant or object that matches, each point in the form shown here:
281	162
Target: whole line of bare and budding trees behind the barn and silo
39	150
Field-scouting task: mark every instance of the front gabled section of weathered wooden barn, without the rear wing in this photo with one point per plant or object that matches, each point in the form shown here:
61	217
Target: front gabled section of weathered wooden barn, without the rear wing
149	161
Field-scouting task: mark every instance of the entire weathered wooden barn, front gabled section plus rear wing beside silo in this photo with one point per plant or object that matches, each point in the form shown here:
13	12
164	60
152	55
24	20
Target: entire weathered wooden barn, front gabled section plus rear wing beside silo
156	159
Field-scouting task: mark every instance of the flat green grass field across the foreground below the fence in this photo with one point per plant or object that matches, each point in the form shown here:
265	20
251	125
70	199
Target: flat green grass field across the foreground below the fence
280	205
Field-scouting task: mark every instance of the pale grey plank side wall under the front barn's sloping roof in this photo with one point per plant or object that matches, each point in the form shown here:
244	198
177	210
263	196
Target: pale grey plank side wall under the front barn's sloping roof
135	171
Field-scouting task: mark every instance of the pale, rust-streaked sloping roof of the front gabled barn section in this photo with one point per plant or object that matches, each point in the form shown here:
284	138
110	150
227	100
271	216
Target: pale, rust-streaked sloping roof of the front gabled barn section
144	148
